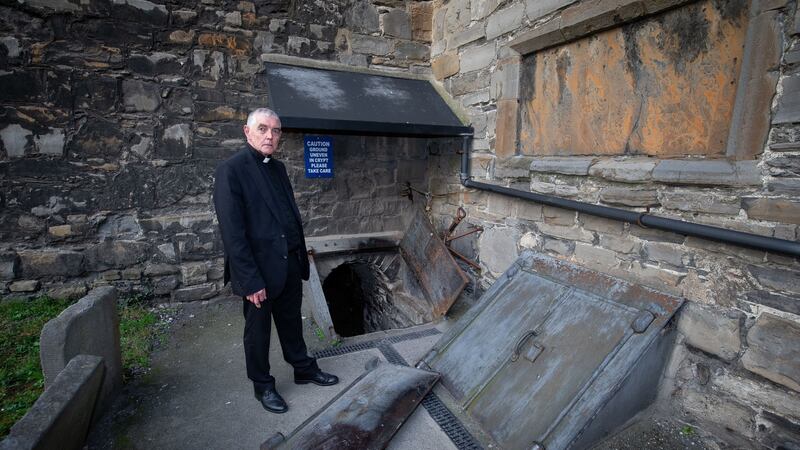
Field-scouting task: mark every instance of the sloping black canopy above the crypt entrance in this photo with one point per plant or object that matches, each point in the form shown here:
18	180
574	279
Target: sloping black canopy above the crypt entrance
311	99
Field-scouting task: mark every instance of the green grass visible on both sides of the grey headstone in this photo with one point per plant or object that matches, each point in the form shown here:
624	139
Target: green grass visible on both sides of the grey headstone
21	322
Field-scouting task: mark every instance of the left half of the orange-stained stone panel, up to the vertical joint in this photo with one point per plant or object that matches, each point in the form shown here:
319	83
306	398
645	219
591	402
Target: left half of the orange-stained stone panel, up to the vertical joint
580	107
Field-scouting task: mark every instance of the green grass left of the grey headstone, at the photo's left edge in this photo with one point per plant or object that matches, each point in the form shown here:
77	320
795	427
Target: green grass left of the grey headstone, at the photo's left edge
21	379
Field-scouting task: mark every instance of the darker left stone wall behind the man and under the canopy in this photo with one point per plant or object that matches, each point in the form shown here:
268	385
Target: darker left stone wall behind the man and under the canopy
115	114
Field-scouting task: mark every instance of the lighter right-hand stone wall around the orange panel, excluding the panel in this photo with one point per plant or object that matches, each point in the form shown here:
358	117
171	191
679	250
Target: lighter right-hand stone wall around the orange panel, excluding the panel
735	371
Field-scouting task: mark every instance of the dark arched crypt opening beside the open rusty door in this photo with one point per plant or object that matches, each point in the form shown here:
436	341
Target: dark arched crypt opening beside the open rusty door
359	299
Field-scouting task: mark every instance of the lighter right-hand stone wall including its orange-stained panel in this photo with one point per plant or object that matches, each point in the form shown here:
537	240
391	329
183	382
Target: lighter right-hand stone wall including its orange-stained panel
561	94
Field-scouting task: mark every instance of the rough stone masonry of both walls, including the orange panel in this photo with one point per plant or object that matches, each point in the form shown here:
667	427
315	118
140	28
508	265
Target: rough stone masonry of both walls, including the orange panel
114	115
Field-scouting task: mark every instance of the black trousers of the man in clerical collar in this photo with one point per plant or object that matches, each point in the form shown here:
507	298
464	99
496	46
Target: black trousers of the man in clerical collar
285	310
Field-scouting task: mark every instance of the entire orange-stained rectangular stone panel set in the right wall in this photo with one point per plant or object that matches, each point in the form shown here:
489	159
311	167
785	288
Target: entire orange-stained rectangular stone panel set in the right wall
664	86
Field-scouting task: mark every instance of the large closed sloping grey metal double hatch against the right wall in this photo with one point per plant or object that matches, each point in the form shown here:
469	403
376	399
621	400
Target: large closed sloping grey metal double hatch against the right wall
546	348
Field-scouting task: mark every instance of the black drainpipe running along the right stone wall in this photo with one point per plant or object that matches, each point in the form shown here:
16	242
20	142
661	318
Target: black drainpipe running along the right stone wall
644	220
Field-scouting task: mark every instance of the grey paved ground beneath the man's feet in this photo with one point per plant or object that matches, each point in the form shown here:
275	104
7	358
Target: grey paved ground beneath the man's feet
198	396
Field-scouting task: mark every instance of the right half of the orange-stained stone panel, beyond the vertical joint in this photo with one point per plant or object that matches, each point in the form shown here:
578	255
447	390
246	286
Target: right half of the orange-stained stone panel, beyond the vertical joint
691	113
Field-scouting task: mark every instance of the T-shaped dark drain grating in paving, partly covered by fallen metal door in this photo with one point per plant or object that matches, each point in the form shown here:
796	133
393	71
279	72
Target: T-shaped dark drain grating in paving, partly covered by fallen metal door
449	423
